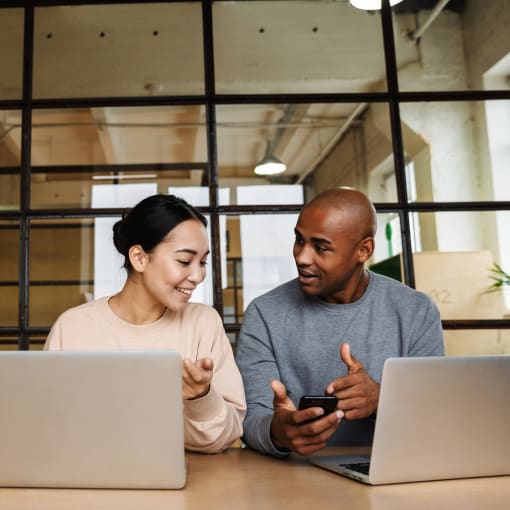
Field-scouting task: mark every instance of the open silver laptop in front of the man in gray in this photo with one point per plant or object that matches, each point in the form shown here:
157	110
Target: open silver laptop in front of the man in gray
438	418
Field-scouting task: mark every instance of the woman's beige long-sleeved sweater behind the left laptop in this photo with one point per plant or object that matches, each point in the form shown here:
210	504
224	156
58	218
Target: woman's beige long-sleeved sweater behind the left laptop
211	422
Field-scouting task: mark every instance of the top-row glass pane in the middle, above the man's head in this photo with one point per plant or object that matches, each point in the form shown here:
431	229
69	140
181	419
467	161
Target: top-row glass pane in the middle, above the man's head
297	47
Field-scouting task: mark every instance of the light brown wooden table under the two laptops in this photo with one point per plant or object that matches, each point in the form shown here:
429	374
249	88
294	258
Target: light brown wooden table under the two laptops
242	479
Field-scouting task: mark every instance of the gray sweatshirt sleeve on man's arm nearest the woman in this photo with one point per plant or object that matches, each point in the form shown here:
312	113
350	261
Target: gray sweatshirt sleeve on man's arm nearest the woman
256	360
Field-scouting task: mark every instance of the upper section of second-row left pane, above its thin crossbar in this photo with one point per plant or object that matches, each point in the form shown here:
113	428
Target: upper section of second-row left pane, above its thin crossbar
93	136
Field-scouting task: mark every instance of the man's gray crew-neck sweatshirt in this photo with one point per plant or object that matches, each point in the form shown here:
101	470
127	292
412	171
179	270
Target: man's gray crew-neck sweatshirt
295	338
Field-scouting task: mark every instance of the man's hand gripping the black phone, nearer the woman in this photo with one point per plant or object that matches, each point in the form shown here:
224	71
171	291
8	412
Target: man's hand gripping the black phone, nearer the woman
292	429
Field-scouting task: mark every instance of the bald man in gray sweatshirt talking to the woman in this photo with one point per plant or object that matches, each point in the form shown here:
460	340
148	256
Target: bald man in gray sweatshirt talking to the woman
328	332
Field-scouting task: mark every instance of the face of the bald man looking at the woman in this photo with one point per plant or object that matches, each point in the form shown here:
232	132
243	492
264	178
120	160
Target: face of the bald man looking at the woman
327	254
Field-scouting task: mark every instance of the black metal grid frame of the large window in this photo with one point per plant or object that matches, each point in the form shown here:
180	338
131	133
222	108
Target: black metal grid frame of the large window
210	100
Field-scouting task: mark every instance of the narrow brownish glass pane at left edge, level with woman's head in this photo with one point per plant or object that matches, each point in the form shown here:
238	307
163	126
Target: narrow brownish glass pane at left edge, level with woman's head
9	271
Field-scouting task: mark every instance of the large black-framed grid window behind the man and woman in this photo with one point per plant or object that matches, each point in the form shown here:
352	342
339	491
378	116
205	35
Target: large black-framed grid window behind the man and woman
408	104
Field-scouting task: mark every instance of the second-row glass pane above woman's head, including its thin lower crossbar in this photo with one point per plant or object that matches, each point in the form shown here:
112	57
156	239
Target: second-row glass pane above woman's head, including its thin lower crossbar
168	144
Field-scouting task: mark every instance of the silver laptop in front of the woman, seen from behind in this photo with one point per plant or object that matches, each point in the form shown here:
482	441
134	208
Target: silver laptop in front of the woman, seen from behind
91	419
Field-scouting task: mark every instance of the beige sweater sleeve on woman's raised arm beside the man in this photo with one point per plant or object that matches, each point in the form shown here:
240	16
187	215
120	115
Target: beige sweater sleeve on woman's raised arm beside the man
214	421
